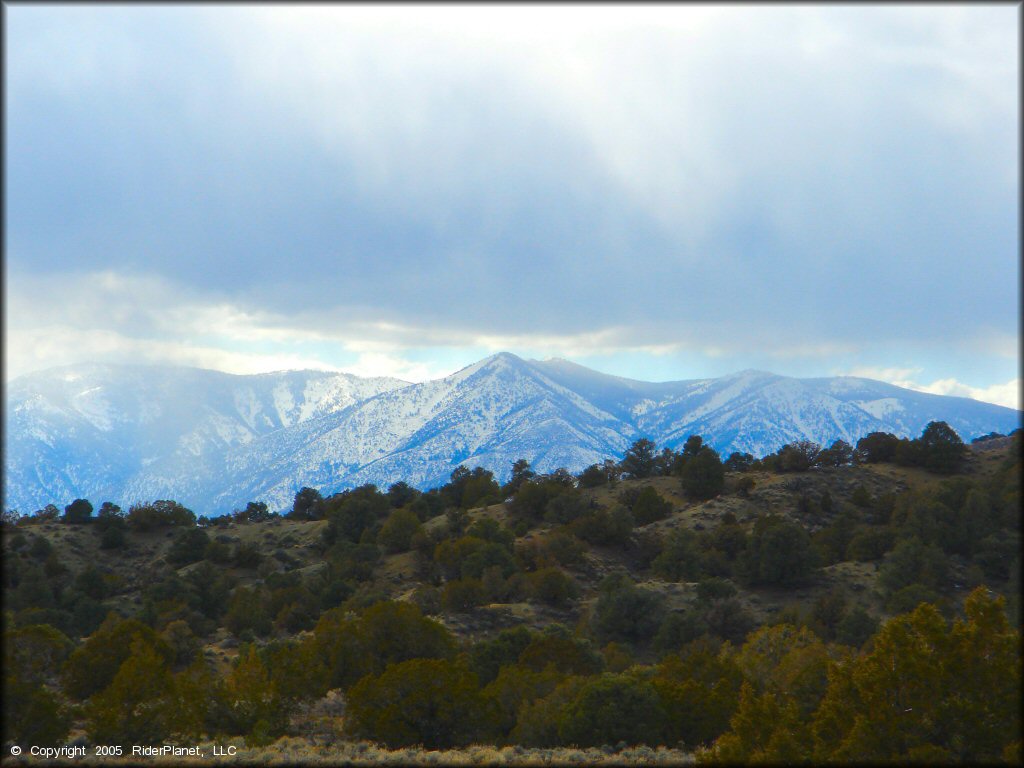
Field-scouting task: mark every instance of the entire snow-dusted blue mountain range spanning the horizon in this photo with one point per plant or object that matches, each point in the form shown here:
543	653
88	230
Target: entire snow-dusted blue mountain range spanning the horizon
216	442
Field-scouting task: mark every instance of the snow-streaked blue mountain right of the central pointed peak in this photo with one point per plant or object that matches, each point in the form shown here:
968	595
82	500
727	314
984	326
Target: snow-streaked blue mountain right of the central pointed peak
758	412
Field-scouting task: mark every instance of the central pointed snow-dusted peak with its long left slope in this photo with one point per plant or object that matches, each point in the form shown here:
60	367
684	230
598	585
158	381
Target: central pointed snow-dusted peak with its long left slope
489	414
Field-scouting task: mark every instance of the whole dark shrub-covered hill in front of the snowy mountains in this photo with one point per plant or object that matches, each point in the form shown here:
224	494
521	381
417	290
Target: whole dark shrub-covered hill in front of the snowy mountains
841	604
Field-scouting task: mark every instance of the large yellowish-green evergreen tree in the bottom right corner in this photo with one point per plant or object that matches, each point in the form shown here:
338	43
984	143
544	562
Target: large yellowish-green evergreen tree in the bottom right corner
926	689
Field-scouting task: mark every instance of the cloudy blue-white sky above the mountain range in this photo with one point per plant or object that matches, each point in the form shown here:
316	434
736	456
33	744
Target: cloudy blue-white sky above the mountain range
659	192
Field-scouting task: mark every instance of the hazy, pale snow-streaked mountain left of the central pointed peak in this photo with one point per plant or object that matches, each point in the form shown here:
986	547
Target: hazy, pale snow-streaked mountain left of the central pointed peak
92	432
